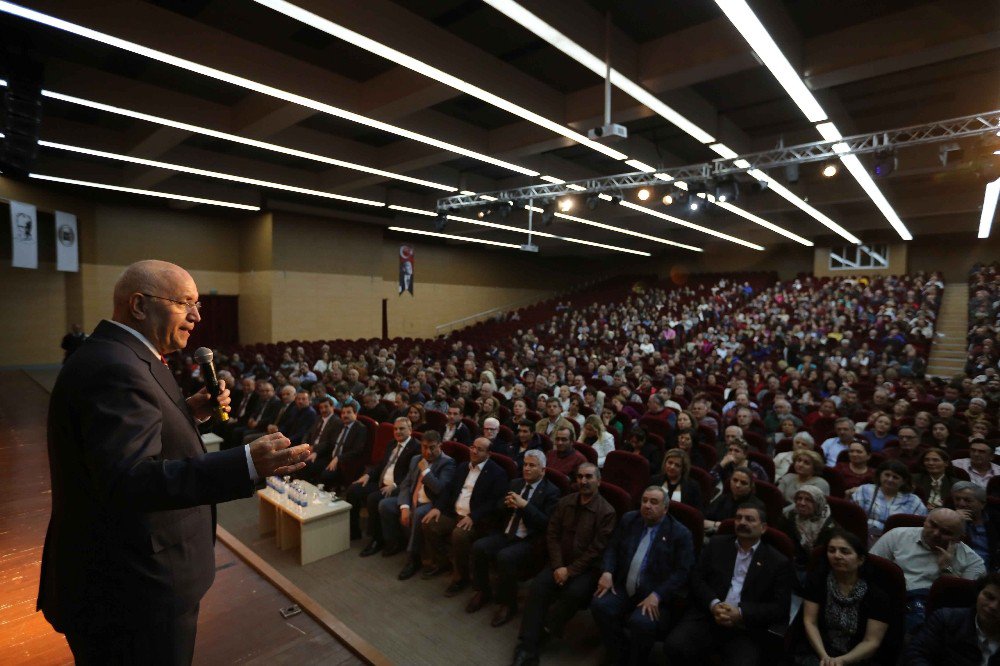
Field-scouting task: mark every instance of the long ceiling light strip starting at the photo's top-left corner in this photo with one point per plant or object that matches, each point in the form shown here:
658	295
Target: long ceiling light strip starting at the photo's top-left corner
264	89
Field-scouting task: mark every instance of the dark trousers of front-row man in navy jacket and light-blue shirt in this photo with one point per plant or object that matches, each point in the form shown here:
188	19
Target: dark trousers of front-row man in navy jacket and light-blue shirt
614	613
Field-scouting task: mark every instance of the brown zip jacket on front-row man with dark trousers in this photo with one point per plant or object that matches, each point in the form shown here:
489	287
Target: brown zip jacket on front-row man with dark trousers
579	532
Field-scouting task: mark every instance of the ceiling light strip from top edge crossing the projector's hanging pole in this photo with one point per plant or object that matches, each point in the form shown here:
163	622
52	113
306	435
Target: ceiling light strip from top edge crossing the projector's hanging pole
533	23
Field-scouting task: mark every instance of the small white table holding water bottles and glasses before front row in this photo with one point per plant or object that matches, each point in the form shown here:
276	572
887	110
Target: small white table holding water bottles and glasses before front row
318	530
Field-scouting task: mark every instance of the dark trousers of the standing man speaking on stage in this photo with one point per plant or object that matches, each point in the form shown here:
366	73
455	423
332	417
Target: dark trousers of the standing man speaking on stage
163	642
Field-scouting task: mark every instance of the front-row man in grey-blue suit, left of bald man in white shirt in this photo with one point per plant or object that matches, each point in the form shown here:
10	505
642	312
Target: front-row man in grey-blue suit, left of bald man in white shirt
428	477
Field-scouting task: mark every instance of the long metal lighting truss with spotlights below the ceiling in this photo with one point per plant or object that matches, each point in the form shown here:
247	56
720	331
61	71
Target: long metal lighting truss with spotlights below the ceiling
860	144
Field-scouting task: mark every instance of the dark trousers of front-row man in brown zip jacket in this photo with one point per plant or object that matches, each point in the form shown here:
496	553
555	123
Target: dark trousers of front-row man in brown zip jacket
551	605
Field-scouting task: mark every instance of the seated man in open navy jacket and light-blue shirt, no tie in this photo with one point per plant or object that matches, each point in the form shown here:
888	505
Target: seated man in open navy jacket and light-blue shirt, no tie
645	566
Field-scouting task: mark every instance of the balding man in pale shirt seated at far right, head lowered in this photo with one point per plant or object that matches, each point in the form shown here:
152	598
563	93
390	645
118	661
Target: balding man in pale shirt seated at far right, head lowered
926	553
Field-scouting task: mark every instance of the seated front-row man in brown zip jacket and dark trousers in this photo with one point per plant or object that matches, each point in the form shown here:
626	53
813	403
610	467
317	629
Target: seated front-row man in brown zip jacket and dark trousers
577	534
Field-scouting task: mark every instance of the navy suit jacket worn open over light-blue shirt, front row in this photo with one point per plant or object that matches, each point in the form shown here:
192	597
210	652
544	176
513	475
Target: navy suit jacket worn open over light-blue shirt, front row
668	561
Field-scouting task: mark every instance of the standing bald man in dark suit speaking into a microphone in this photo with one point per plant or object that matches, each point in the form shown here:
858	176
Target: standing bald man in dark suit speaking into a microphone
129	550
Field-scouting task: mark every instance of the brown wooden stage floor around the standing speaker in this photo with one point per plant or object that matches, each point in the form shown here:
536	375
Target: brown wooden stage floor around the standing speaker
239	621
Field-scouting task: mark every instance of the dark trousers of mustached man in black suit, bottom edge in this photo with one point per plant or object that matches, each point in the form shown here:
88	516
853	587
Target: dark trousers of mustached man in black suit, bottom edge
697	635
